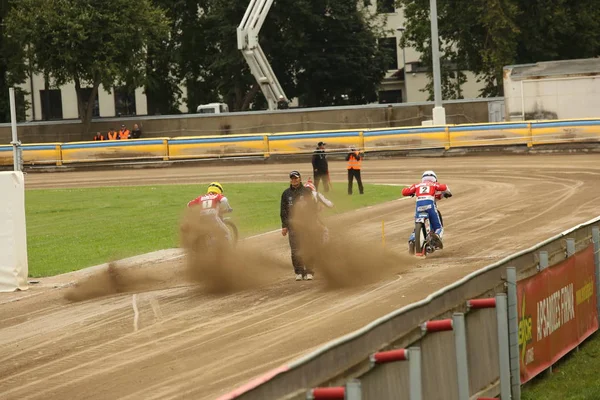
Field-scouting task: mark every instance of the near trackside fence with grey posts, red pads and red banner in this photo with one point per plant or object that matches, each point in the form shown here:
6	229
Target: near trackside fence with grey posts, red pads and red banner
479	338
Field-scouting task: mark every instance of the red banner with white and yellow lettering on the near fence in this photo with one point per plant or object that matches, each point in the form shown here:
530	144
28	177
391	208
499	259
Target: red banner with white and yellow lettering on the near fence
557	311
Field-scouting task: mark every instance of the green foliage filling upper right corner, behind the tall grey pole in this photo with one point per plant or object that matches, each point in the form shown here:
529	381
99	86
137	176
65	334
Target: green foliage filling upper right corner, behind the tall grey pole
483	36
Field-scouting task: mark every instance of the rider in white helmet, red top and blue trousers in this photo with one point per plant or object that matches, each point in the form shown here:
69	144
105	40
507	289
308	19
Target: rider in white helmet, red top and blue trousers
427	192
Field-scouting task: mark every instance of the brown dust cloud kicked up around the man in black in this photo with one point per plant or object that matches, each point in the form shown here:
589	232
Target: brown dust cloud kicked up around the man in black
344	259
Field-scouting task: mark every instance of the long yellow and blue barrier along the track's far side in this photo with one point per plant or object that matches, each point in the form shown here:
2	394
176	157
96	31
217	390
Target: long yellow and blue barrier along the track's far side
264	145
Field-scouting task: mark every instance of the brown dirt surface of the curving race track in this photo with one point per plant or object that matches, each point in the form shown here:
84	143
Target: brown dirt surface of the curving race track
172	340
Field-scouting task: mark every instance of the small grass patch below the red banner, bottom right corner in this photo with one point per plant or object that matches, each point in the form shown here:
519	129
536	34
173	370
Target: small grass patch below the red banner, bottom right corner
575	377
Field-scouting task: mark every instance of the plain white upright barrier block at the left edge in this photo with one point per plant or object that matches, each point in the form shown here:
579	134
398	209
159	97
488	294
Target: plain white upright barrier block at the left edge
13	237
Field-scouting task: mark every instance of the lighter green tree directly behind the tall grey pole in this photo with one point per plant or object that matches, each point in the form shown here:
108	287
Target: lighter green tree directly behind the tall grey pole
475	35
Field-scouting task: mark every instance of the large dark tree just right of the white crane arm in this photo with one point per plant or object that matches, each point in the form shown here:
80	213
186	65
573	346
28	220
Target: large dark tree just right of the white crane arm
340	62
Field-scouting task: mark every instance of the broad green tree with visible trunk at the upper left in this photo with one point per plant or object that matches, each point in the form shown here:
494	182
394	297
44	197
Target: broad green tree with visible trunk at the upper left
87	42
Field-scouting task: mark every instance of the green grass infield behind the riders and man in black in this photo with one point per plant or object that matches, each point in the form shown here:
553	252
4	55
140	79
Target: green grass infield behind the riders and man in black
70	229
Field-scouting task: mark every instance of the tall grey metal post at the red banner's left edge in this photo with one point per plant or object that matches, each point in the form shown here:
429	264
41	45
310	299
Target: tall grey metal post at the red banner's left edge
513	333
